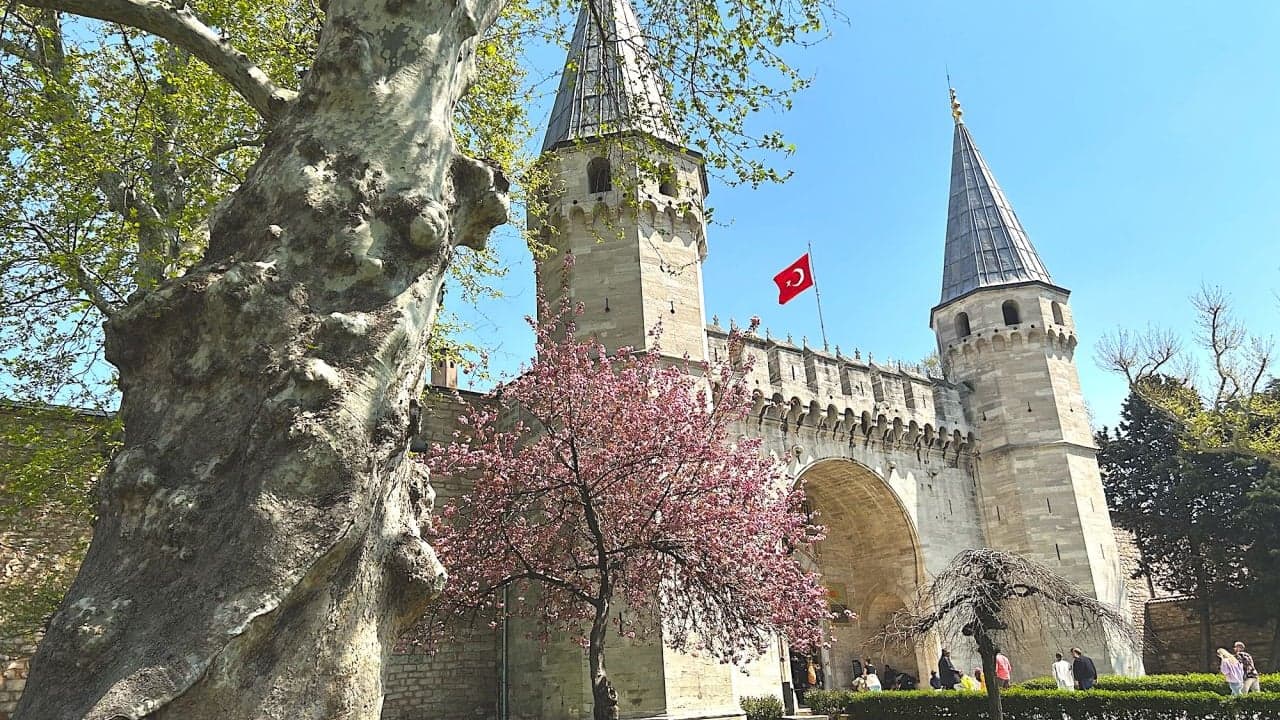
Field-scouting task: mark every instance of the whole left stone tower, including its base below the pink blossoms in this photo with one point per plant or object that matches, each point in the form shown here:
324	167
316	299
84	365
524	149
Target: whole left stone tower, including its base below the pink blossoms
625	200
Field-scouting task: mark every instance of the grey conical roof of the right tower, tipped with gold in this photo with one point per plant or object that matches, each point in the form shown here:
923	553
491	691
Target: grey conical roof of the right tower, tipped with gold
986	244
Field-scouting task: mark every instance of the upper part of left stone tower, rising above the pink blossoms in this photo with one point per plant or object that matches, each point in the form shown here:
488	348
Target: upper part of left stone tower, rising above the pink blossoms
625	197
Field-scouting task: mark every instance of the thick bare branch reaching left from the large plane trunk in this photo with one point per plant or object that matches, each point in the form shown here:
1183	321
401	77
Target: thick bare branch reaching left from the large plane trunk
179	25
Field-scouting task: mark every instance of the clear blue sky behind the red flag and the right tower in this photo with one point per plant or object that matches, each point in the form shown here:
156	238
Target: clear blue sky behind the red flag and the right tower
1140	144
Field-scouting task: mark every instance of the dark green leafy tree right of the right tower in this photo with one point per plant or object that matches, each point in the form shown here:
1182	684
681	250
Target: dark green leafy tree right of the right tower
1195	514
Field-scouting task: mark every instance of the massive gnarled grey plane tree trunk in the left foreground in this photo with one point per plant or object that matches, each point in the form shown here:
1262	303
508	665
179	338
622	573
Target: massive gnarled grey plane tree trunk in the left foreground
258	548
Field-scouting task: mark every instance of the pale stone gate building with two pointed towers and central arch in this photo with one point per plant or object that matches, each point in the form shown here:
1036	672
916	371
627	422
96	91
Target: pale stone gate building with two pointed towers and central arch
904	468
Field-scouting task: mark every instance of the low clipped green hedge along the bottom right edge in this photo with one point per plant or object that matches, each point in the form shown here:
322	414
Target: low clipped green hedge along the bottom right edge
1066	705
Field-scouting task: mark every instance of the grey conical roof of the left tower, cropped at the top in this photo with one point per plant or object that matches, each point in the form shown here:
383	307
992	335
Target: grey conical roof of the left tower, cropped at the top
610	83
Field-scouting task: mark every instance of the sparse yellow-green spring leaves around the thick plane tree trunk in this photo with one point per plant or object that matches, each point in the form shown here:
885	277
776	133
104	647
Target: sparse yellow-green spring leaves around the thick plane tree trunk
118	147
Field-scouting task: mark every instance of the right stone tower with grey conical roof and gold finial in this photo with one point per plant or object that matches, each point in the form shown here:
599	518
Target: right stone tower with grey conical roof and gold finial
1007	336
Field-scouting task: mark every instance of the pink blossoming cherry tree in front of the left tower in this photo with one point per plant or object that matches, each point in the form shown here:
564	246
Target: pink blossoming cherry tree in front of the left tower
607	482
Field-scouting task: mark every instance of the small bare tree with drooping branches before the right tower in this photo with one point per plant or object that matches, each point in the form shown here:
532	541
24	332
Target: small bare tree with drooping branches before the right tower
982	594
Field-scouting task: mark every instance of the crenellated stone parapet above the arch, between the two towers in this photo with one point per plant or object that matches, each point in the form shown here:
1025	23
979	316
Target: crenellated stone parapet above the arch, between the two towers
808	391
